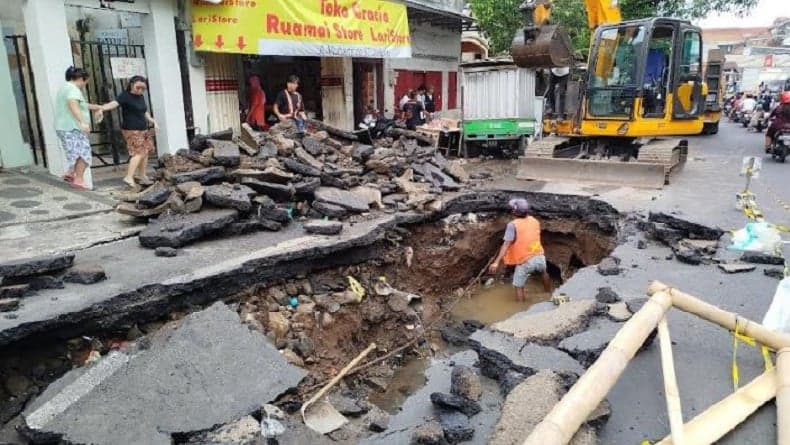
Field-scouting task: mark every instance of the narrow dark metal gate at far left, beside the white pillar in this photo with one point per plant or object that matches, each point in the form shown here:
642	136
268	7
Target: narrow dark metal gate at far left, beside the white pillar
25	95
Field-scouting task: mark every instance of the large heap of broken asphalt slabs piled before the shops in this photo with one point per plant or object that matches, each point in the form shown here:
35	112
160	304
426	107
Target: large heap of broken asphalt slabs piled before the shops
262	181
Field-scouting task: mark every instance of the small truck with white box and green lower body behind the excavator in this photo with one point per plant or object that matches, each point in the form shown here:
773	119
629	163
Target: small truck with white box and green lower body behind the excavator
500	109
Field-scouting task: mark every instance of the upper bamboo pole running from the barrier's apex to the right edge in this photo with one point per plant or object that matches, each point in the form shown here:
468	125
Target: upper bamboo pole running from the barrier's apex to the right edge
693	305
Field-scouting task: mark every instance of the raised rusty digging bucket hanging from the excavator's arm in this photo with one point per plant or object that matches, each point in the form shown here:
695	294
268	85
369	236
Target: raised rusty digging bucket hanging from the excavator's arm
545	47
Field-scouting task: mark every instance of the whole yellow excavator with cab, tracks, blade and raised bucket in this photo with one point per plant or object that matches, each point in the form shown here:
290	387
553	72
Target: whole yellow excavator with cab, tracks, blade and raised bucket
643	87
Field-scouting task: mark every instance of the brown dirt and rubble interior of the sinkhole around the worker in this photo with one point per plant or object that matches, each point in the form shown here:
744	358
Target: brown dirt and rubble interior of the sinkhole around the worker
431	263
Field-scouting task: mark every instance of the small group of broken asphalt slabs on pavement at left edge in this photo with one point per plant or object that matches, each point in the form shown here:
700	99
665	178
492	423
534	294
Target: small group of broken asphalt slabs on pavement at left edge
21	278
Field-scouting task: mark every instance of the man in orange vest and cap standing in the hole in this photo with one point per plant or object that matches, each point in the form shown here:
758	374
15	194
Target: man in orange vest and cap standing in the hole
522	248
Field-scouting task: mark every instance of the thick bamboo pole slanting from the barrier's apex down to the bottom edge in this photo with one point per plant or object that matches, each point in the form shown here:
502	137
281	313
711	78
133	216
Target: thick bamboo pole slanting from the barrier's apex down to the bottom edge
559	426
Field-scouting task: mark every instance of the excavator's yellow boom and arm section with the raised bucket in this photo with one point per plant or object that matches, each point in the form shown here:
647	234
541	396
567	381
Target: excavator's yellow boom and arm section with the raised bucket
541	44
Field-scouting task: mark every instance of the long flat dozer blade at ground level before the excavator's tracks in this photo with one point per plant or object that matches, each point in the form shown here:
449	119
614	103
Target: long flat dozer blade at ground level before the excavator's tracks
630	174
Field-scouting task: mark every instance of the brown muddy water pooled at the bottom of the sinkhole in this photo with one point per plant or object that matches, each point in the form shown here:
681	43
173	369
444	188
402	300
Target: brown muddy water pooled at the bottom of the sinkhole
487	305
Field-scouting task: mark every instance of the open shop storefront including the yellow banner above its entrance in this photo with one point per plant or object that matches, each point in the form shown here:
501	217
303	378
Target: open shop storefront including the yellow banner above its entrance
335	47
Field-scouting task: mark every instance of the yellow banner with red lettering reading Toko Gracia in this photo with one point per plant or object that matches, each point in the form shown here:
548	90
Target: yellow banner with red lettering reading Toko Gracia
340	28
